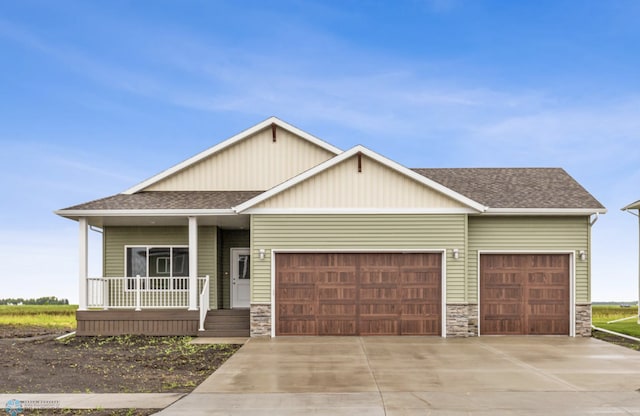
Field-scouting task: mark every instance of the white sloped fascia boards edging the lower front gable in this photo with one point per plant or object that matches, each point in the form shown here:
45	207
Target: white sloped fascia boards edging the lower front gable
371	154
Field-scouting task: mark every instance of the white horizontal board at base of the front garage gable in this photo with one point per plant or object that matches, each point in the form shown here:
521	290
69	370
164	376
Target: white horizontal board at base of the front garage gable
366	211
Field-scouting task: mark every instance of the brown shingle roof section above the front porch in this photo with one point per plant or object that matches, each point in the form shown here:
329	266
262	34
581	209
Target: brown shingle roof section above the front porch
169	200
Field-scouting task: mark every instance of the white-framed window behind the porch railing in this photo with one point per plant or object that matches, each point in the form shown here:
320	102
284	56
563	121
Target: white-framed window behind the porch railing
160	268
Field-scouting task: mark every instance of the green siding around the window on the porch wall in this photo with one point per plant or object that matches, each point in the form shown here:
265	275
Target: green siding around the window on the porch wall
116	238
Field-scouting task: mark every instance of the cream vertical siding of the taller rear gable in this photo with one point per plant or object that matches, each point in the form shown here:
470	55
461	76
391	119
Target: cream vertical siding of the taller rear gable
256	163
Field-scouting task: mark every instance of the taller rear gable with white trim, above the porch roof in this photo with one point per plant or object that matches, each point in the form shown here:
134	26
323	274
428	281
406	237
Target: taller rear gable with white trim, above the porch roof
255	159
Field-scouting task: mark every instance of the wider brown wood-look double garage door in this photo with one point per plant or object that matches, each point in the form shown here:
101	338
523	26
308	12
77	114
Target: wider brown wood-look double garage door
358	294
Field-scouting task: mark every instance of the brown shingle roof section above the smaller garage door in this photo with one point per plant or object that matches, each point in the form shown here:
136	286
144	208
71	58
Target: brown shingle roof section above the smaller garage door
515	187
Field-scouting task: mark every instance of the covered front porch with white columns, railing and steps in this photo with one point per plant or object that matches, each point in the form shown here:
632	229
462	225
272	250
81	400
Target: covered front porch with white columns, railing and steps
166	275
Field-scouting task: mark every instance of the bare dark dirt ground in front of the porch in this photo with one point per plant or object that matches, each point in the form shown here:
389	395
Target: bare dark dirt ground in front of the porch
33	361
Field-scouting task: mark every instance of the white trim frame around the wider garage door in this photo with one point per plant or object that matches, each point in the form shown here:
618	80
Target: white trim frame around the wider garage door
443	276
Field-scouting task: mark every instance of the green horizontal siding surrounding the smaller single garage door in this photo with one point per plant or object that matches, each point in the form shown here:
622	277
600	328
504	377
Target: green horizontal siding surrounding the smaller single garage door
535	234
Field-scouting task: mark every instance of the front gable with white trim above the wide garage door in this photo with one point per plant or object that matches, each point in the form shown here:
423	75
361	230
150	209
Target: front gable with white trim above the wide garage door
360	180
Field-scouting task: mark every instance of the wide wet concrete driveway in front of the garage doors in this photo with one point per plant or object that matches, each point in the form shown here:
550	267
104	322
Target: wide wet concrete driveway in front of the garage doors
421	376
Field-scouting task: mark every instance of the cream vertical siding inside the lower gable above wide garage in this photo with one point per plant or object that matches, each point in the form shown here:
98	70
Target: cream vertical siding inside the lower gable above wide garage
344	186
